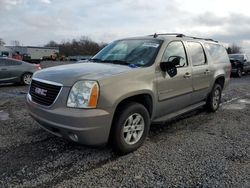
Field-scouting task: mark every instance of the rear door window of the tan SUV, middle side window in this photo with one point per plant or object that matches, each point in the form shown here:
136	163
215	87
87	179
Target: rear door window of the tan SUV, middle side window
197	53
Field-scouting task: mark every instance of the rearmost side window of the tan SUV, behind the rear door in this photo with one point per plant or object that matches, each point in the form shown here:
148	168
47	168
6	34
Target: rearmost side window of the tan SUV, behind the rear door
217	52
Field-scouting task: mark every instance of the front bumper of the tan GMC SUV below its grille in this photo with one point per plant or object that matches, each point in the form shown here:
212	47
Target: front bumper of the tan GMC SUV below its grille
85	126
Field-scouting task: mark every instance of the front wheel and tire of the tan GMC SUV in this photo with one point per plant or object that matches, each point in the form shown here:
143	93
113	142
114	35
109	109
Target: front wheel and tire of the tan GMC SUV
130	127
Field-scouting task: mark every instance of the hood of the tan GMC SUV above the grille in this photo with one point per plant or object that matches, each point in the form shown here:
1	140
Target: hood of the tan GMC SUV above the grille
69	74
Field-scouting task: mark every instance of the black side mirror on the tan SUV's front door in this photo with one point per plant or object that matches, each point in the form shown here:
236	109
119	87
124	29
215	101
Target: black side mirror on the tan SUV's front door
170	66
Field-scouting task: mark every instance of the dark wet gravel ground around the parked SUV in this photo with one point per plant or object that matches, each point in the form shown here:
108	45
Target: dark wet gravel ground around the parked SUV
199	149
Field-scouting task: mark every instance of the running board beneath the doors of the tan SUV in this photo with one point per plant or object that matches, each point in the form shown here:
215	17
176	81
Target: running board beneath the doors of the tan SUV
178	113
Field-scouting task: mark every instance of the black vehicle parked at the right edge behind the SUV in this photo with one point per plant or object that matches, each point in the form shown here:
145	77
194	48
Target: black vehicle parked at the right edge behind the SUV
240	64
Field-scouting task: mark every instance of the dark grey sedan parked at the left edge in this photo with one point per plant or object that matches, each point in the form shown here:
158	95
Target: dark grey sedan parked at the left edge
16	71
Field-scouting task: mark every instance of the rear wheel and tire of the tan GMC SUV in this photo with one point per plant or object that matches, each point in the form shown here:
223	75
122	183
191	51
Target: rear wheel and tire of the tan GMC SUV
214	98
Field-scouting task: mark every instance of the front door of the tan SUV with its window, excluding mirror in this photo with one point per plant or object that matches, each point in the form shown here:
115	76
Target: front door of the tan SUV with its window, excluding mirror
174	93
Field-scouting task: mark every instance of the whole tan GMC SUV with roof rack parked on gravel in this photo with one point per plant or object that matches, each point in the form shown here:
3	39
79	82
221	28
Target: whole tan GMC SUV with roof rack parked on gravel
128	85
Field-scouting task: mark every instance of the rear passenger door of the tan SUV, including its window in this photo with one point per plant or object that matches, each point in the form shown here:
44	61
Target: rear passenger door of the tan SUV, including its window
201	71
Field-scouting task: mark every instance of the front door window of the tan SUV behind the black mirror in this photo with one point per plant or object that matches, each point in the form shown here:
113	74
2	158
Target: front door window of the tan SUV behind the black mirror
173	50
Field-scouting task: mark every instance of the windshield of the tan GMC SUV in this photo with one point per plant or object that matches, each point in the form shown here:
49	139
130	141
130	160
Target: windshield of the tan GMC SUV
133	52
